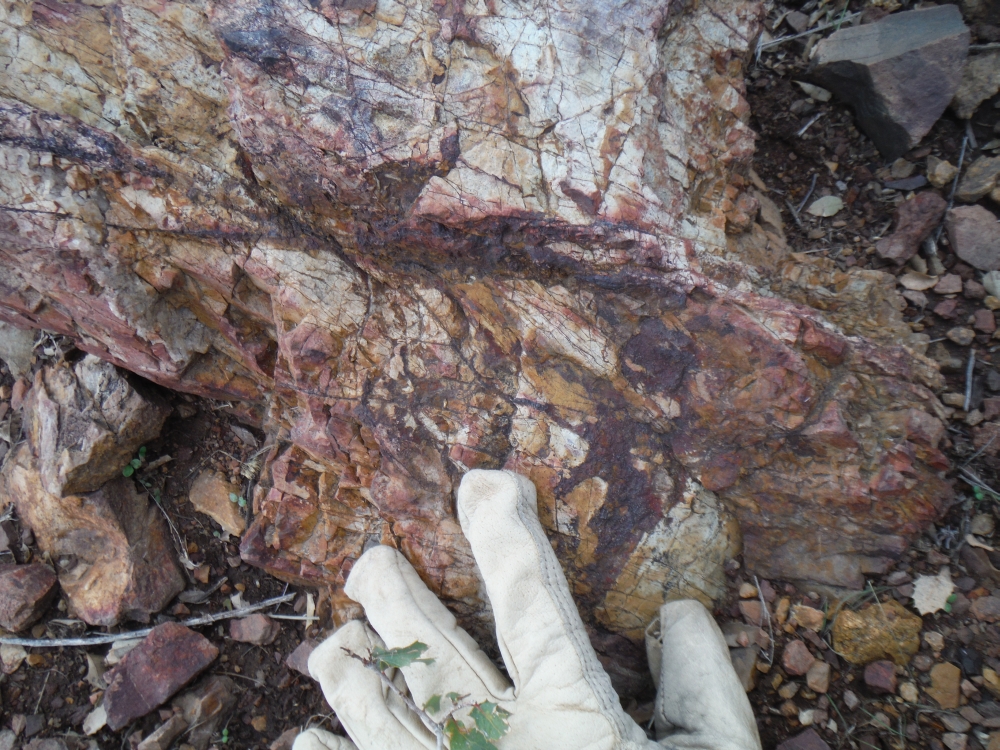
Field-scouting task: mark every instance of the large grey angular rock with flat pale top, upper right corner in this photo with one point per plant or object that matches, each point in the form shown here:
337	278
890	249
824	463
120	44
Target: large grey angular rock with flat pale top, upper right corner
899	73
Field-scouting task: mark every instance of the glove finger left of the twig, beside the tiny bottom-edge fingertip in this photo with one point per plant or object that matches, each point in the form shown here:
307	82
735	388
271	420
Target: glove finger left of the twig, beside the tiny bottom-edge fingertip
374	717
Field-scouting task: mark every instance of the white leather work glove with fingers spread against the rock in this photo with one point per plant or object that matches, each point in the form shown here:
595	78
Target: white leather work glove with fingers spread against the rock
561	698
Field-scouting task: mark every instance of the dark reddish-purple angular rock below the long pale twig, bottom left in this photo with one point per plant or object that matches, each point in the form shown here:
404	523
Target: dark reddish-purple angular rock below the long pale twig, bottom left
148	675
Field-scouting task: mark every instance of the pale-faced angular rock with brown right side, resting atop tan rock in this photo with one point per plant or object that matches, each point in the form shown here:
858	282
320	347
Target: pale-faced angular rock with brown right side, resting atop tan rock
86	422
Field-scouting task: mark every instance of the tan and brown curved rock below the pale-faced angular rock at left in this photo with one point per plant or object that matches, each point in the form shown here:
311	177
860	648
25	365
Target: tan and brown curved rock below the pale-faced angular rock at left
113	551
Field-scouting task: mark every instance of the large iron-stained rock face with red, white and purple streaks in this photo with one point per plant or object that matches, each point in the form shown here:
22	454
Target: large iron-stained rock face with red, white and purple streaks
450	236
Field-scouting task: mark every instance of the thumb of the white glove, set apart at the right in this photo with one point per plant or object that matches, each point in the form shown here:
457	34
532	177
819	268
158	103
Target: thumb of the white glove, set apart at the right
700	702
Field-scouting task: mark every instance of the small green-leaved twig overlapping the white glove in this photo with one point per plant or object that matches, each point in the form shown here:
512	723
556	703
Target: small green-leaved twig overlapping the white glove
489	719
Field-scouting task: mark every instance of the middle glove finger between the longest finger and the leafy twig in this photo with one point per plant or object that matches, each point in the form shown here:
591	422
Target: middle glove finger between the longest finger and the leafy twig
401	609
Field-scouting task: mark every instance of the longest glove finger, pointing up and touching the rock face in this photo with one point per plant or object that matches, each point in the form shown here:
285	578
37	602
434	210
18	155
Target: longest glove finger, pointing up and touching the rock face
541	635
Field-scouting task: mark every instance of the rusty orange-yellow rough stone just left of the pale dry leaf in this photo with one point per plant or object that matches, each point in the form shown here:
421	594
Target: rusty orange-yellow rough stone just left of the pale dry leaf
879	631
